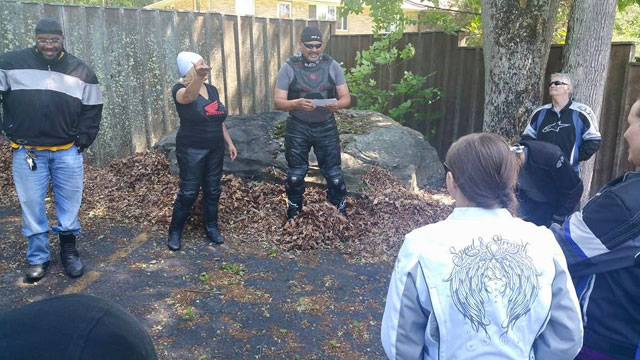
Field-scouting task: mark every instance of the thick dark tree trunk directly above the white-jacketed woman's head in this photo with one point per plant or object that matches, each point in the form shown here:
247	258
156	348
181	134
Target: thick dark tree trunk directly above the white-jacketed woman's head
517	38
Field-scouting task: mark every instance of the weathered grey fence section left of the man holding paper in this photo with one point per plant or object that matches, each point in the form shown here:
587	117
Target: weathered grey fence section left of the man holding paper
133	52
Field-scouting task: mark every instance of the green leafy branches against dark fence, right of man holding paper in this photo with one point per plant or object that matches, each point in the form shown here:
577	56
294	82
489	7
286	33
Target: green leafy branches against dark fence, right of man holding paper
404	100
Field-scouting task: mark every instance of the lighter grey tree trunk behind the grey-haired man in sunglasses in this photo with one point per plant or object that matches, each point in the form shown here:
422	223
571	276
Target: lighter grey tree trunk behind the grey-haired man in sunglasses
586	59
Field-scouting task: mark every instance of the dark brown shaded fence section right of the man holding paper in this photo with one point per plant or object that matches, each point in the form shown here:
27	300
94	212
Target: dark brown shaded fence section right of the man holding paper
459	73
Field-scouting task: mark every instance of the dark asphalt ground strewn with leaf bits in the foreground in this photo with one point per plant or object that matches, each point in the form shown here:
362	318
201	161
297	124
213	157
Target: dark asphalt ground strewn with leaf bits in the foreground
238	301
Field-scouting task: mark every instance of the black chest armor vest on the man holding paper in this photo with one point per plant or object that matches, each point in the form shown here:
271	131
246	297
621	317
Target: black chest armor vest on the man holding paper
311	82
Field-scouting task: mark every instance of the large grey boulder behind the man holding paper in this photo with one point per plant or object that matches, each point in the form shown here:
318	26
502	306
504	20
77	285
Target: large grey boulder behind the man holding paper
368	139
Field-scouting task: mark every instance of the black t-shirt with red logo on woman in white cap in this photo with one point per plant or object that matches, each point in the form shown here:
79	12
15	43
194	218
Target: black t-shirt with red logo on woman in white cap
200	121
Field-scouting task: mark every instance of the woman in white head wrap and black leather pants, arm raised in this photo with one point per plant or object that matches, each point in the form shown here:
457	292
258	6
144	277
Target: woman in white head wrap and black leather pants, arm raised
199	147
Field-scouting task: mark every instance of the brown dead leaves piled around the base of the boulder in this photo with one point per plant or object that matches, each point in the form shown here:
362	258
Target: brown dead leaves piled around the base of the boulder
139	191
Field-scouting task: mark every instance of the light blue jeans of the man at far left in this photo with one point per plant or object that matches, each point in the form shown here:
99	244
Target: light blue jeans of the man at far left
64	168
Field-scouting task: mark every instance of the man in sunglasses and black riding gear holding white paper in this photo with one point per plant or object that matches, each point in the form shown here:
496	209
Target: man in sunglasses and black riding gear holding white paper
311	87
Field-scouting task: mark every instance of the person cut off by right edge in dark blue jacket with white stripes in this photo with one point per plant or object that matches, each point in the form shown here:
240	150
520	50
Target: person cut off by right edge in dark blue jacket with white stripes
602	247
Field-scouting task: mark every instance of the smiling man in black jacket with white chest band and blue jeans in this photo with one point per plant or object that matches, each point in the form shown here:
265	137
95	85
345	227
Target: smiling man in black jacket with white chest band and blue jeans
52	107
